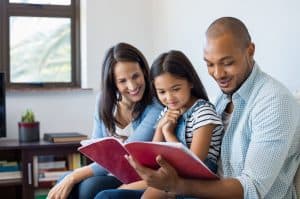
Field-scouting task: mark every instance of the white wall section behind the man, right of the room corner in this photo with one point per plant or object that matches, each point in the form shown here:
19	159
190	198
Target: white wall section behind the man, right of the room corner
273	24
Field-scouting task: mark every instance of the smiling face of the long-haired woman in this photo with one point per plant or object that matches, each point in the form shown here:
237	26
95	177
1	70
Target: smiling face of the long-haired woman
130	82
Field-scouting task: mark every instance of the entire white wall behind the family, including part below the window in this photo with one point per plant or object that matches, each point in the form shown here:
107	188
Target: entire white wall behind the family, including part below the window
155	26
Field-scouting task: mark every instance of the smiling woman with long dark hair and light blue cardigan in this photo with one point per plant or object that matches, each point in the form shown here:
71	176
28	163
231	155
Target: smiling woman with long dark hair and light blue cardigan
125	109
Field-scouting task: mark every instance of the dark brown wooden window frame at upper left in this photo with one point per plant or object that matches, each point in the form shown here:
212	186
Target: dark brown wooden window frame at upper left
71	11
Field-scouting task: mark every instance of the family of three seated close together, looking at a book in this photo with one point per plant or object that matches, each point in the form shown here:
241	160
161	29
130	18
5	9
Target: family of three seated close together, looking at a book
250	138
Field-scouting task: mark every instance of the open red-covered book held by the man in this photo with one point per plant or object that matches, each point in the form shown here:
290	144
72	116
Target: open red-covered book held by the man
109	153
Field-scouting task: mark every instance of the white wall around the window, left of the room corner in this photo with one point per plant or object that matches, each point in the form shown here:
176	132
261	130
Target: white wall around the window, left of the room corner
104	23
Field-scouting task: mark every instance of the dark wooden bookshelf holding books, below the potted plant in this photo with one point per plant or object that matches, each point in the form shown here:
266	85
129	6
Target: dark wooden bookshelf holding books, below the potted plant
32	156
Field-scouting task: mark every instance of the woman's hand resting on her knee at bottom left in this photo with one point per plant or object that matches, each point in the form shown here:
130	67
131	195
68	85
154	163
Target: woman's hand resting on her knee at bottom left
62	189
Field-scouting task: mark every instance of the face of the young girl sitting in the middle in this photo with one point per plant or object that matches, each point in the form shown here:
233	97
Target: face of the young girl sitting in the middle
173	92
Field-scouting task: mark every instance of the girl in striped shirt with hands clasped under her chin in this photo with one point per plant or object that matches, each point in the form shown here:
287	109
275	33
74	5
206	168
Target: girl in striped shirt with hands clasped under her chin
188	118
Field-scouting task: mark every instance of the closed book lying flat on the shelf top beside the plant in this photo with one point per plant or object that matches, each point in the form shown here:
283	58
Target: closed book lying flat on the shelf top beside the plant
64	137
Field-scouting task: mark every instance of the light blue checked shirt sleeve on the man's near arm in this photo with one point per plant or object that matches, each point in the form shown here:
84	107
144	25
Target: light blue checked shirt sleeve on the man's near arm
274	122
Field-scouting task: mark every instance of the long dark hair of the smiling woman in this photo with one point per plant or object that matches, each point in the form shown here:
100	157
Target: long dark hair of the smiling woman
121	52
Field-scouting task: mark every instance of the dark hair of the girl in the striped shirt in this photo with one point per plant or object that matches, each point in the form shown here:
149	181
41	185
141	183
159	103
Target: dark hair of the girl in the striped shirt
176	63
